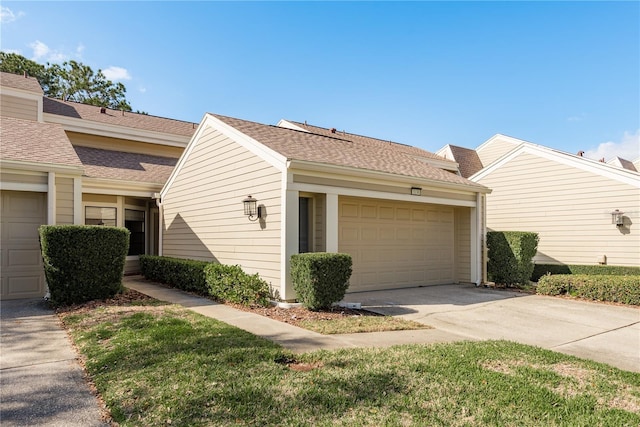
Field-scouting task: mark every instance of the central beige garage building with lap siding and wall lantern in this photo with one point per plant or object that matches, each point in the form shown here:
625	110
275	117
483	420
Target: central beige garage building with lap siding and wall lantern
403	213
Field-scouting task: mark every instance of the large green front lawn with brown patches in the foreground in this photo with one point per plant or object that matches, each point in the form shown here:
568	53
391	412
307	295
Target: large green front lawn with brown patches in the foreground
160	365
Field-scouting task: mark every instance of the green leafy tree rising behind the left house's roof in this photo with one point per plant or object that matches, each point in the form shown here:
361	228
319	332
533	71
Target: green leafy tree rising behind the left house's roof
69	81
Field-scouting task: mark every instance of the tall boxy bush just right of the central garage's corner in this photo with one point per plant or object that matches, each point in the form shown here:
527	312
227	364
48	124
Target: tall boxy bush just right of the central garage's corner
511	256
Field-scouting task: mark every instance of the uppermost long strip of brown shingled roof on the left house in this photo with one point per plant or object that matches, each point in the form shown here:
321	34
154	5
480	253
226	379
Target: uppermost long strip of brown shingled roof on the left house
118	118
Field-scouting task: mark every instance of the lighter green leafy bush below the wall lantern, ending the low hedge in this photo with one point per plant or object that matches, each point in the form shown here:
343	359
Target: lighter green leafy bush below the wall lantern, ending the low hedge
230	283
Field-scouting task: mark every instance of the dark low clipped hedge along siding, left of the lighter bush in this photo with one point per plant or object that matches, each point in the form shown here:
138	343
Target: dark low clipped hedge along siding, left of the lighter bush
185	274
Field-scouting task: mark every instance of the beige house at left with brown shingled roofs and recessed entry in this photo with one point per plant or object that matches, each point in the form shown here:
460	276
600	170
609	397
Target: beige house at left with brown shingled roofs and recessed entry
70	163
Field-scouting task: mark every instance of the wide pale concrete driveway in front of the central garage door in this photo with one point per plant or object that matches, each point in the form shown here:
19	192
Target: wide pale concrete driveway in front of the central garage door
602	332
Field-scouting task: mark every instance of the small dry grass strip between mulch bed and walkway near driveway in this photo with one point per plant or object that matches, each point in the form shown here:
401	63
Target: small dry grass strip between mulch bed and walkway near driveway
361	324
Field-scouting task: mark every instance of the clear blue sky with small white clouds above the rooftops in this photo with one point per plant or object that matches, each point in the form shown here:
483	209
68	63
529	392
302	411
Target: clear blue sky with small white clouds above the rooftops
561	74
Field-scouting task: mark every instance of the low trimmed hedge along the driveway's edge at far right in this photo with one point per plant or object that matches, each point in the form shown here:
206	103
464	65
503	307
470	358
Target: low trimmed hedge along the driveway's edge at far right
622	289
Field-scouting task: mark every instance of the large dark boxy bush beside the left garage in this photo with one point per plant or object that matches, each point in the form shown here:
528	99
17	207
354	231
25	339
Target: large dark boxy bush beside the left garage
83	262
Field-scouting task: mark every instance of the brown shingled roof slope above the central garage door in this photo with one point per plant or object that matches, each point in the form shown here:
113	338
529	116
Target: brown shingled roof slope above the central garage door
337	149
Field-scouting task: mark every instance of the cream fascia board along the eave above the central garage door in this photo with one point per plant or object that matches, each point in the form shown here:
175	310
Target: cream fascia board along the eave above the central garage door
385	176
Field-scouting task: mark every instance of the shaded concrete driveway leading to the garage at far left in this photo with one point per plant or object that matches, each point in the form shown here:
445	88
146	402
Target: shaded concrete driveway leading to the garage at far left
41	381
